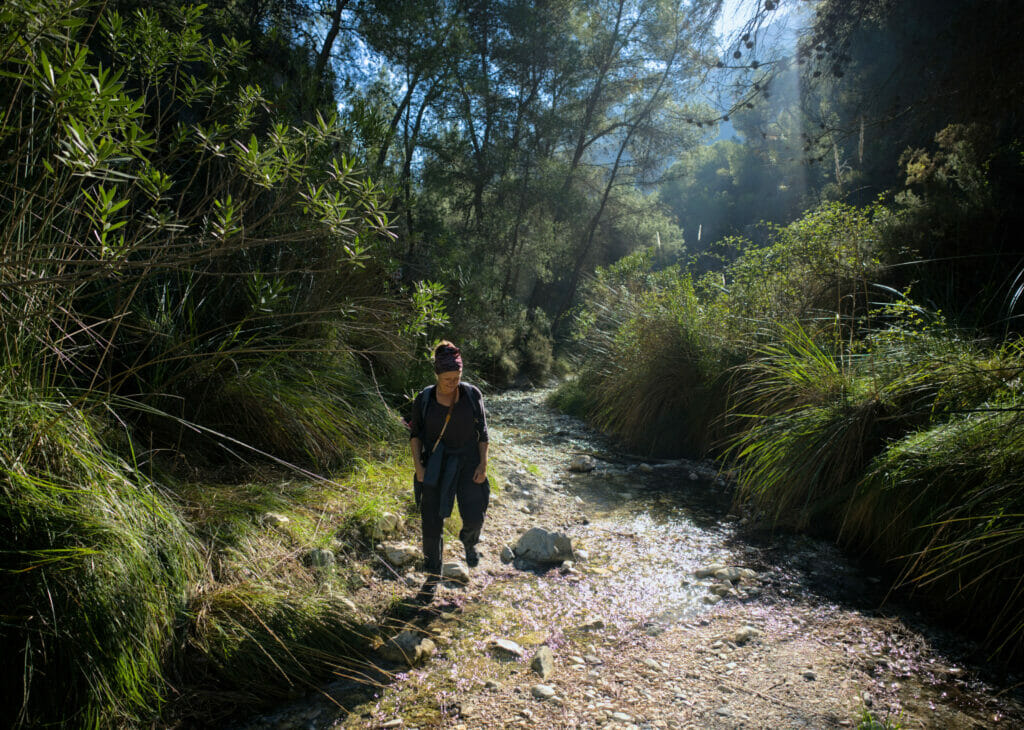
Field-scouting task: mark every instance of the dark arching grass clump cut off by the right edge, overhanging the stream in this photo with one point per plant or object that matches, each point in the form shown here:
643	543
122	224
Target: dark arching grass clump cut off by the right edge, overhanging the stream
948	503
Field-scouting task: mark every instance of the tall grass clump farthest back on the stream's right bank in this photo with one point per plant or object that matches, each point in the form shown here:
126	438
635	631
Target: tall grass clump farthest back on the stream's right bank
655	370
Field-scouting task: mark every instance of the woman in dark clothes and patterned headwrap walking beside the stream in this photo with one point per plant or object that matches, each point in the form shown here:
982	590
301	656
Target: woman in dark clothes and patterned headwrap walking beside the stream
449	440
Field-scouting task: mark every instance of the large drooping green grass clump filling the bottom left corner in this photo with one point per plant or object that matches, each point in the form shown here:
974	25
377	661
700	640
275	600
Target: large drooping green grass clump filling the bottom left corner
97	571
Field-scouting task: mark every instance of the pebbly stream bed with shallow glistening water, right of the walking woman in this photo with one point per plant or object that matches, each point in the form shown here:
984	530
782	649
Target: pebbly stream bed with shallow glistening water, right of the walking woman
638	639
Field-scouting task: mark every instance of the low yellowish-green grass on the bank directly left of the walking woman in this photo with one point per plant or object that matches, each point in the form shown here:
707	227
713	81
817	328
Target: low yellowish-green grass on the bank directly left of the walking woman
287	557
